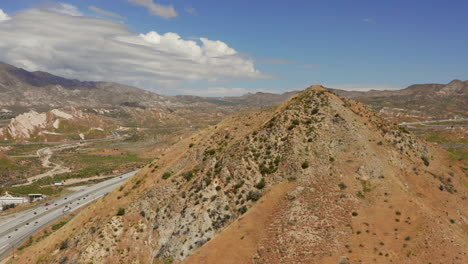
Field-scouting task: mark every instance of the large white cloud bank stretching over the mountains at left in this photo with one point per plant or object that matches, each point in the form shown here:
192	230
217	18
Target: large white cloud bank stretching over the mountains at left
96	49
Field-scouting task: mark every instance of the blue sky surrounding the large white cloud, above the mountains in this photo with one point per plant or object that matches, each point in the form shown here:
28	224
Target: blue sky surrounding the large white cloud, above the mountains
356	44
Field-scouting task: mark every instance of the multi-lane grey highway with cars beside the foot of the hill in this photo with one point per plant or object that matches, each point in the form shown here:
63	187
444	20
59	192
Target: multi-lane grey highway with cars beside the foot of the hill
17	228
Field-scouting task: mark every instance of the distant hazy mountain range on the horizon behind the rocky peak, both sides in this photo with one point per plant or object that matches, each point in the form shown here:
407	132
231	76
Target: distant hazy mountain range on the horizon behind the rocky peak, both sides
22	91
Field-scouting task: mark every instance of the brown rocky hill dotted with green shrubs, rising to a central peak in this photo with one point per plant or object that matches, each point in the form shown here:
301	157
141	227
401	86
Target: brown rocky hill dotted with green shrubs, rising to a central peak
318	179
